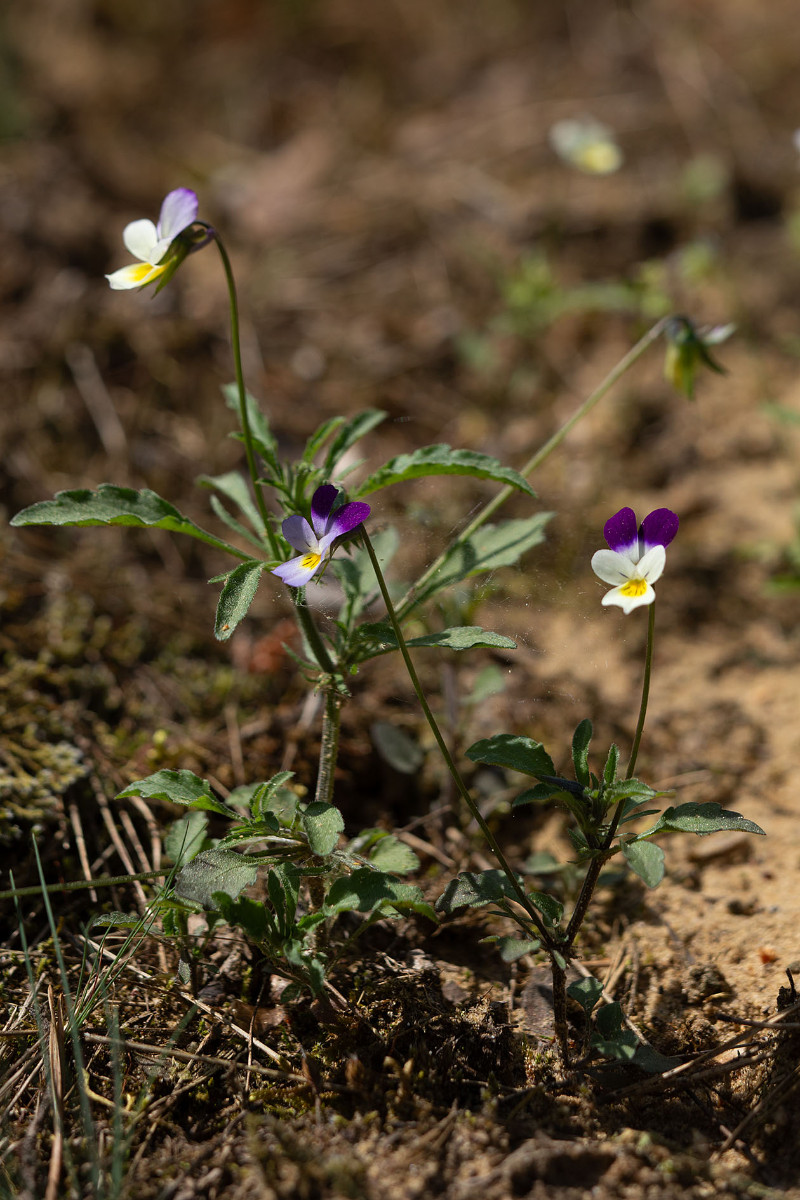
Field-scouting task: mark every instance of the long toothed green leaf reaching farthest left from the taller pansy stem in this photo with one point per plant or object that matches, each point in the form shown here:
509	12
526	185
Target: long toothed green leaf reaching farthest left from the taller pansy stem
112	506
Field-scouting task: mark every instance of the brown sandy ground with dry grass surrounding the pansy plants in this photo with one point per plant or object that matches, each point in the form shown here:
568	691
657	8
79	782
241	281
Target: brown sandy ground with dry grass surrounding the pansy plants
405	238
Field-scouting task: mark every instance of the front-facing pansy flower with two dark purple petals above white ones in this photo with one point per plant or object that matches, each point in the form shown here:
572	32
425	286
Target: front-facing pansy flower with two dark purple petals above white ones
636	559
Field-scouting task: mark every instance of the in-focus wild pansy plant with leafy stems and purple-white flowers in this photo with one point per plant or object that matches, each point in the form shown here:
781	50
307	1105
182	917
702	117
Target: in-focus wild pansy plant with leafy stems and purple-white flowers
312	874
